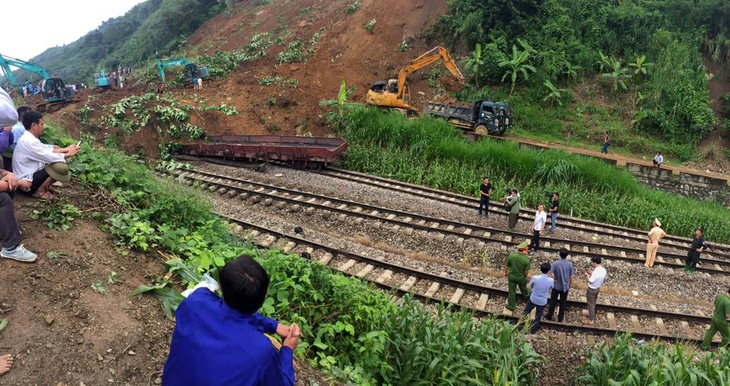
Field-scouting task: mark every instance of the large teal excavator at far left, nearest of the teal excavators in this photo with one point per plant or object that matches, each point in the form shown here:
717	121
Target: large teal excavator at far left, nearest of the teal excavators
54	91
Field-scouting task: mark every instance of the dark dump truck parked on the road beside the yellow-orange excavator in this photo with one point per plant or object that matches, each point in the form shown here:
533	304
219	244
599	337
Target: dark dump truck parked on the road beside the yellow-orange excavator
483	117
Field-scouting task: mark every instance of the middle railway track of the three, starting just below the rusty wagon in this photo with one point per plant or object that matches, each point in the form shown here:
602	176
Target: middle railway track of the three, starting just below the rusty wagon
409	222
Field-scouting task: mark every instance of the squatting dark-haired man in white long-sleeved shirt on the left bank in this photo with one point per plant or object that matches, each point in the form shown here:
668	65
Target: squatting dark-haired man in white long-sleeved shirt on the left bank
31	157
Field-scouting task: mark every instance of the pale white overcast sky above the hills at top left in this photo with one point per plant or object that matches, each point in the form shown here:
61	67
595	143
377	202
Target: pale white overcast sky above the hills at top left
32	26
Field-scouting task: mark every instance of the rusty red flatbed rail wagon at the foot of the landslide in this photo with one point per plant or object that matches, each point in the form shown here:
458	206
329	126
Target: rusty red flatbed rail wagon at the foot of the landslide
313	152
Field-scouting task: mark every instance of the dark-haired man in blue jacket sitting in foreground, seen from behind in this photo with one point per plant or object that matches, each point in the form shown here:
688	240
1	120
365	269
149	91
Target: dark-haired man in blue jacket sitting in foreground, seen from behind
221	341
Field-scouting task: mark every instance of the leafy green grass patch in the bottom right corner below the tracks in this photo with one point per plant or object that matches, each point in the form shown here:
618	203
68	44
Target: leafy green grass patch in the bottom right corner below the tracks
626	363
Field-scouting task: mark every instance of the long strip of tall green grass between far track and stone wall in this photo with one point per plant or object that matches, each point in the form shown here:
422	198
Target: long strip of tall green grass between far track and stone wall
431	152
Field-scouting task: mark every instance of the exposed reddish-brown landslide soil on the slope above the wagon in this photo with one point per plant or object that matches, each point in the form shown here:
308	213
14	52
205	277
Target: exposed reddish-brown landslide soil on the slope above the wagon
344	50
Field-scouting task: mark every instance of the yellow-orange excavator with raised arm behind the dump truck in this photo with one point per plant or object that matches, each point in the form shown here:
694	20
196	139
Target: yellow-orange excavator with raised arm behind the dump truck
396	93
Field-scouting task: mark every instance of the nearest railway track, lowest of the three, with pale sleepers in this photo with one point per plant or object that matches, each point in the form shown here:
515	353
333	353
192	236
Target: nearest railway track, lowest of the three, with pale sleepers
482	301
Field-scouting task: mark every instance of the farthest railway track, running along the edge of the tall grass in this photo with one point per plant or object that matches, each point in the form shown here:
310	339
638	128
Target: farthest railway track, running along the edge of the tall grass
564	221
